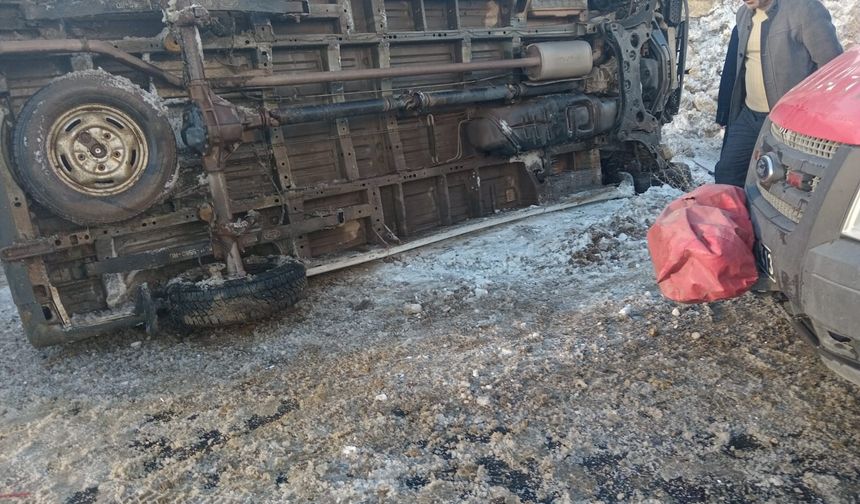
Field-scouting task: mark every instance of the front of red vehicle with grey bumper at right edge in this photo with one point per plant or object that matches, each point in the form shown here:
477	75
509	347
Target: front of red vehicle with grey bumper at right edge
803	188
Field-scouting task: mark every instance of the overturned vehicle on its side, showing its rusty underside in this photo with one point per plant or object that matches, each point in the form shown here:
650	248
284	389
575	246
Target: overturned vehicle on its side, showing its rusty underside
195	158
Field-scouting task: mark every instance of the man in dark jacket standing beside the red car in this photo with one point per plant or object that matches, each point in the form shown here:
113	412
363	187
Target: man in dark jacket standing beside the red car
780	43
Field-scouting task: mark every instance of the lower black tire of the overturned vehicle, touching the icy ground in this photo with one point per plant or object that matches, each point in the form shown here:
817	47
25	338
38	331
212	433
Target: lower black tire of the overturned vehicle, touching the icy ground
272	284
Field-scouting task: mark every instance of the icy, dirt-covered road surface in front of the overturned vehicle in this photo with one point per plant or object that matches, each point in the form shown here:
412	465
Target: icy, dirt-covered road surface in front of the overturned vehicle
540	366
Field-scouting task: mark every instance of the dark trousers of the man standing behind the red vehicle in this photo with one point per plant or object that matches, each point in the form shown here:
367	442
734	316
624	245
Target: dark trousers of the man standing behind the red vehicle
738	146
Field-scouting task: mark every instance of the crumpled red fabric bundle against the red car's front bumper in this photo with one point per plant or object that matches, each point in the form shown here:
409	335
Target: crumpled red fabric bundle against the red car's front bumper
701	246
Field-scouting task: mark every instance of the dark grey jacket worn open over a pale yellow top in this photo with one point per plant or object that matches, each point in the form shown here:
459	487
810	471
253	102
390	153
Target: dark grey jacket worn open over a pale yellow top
796	40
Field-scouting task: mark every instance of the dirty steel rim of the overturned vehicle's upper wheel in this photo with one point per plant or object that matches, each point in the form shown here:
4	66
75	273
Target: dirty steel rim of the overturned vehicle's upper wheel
97	150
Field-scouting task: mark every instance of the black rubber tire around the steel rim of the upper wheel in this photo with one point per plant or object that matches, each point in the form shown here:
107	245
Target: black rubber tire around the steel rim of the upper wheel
37	173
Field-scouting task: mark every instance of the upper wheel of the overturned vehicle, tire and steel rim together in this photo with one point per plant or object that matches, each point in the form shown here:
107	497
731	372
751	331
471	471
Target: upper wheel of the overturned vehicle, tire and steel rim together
94	148
